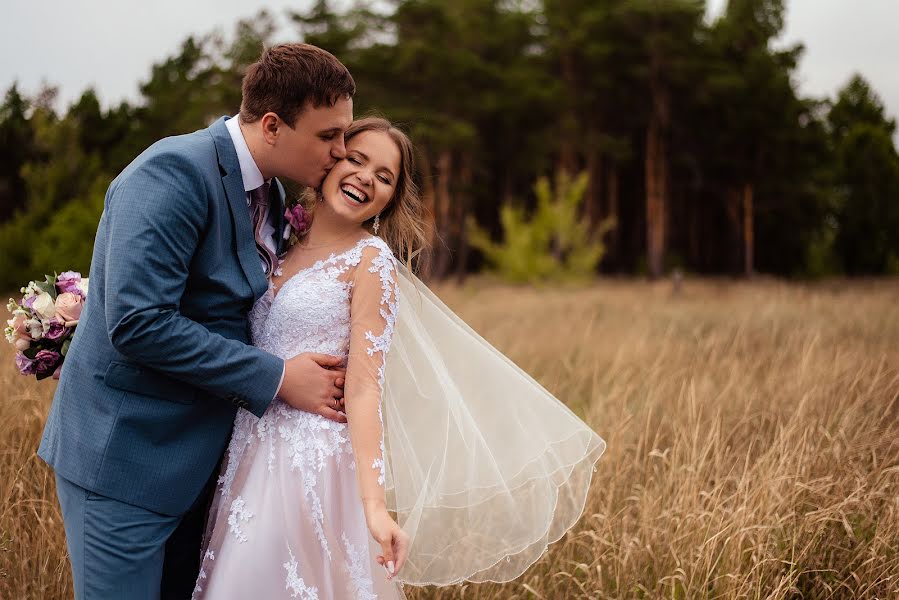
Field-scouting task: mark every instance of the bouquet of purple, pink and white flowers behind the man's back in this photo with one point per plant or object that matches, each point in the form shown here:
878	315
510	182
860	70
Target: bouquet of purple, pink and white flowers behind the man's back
43	322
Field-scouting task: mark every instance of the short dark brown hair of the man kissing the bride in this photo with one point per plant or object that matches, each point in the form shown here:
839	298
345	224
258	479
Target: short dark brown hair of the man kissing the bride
288	76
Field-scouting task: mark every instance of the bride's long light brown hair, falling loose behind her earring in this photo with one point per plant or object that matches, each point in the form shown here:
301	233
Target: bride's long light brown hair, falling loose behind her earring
402	221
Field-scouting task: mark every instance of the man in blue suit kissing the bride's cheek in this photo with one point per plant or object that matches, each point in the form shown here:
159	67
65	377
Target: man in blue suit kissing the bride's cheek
161	361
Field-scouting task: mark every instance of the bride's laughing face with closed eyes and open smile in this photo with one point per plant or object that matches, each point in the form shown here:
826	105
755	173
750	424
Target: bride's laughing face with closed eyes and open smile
361	185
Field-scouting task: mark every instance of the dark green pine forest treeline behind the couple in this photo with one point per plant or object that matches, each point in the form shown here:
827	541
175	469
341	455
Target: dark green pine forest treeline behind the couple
699	152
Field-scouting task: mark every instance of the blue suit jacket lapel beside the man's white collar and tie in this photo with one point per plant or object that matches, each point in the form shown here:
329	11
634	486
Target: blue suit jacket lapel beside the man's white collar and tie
237	203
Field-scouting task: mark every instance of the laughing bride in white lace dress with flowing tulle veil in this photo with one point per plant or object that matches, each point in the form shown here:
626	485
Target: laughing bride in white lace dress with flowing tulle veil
453	465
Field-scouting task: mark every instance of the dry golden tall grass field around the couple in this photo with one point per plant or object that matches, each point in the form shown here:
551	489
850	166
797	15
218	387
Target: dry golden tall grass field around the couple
752	430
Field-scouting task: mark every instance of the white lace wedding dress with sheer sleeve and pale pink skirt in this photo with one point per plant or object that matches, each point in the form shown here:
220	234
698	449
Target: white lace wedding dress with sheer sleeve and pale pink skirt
287	519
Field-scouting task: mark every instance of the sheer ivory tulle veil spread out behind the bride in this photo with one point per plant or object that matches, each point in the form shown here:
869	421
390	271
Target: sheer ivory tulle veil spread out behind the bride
484	467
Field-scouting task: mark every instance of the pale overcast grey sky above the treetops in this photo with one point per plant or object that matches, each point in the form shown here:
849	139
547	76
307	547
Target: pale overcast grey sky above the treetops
111	44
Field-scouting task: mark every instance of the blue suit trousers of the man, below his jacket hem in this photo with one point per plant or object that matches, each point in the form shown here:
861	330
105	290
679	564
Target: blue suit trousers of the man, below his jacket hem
119	550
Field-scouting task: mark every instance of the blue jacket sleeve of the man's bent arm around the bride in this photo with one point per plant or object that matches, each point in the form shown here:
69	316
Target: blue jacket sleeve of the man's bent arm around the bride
156	216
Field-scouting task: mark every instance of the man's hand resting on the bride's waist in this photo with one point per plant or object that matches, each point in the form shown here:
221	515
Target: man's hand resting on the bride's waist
314	383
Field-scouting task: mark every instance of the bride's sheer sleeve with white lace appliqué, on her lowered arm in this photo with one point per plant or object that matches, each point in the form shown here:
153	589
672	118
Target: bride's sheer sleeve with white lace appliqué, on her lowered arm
373	311
